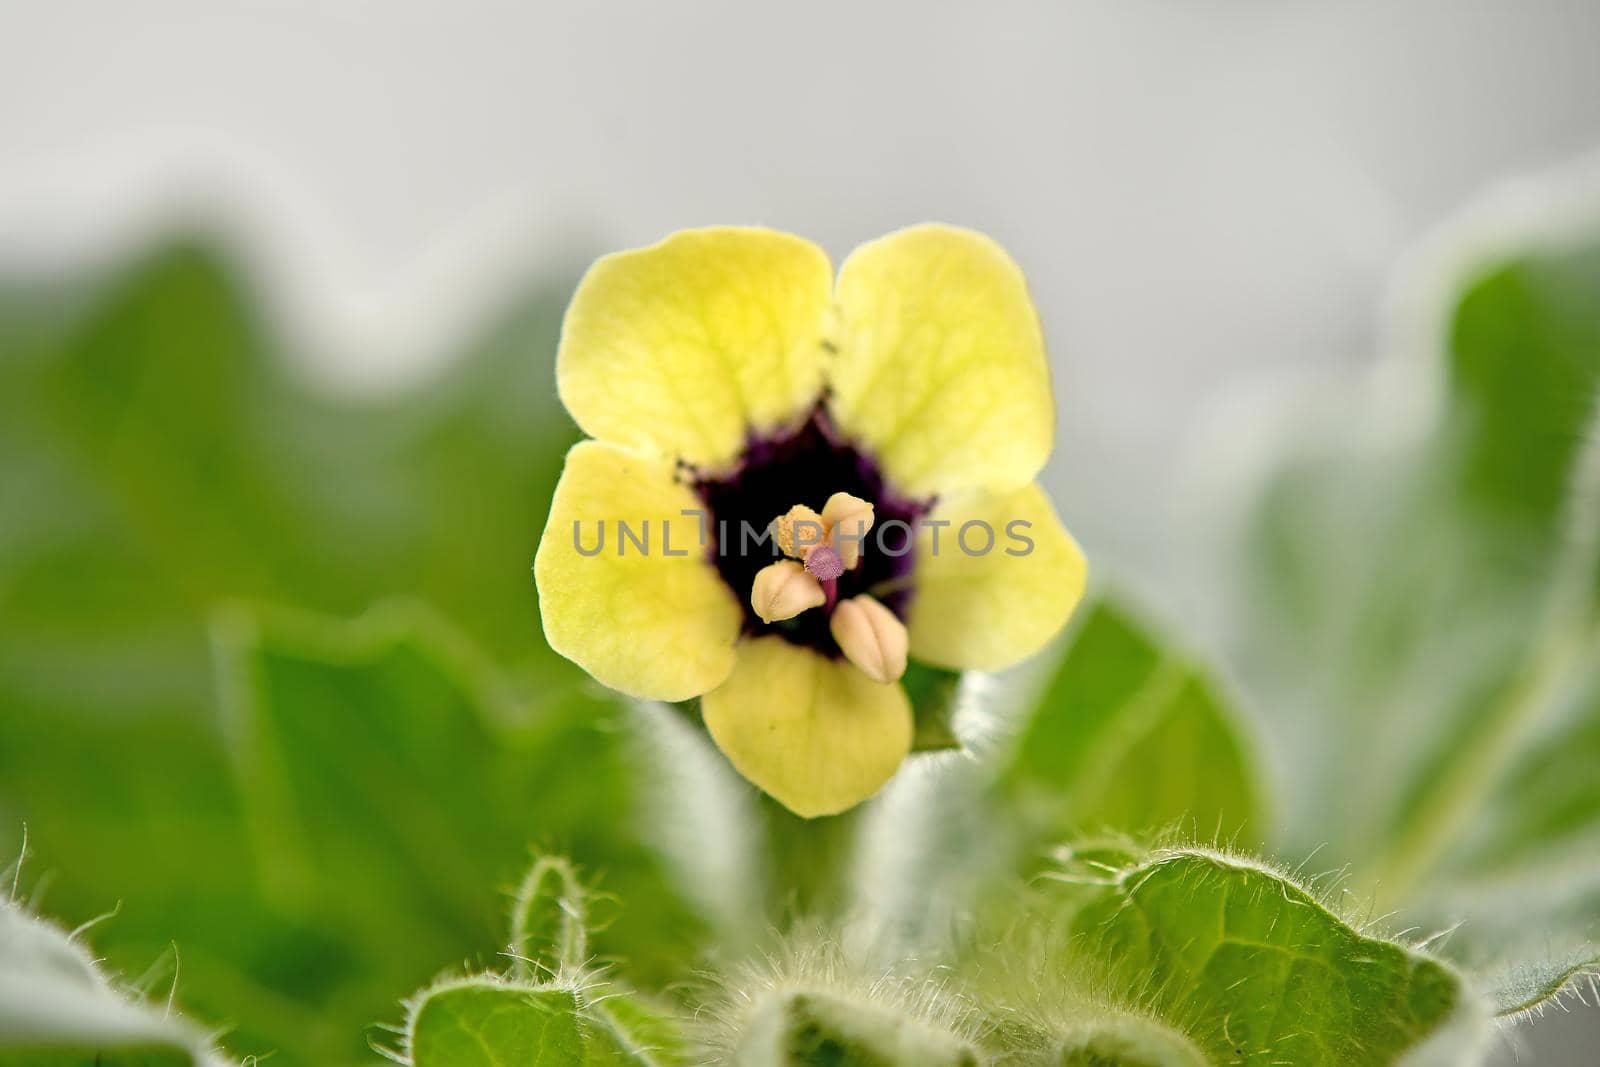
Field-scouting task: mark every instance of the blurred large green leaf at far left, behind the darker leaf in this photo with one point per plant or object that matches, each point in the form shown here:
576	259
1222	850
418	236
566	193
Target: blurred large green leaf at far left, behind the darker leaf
172	460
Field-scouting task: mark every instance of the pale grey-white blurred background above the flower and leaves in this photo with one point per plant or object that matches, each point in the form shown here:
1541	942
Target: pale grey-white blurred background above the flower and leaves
1202	193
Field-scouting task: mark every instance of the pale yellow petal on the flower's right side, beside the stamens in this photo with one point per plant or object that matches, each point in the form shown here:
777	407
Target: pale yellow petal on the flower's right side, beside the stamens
986	605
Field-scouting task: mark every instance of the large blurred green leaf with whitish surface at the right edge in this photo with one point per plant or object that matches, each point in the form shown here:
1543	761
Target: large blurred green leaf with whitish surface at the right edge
1422	620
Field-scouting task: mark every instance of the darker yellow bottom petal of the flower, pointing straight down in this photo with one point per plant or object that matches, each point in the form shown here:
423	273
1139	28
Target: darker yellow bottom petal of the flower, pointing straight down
814	732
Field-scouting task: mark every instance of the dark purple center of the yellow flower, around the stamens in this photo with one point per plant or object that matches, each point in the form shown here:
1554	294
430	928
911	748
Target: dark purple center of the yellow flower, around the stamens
807	466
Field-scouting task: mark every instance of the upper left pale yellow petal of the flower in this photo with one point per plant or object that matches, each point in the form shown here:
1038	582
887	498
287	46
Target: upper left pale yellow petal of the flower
690	345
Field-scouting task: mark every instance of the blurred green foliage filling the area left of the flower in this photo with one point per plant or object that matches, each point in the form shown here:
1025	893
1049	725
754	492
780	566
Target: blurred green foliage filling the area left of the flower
161	463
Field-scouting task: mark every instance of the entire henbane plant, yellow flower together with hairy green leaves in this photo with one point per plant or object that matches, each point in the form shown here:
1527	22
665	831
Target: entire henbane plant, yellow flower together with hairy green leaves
1350	821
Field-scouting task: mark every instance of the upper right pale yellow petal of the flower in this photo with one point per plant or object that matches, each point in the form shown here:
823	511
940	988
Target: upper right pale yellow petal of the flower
942	364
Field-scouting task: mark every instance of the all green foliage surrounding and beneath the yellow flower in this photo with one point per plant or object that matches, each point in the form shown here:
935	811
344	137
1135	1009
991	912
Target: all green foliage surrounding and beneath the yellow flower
273	689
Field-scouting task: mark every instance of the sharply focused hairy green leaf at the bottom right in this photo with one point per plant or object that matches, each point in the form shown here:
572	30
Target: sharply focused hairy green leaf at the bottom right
1255	970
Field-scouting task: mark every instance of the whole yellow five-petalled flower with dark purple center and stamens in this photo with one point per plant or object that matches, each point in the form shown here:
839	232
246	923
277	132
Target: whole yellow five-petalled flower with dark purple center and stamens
732	386
